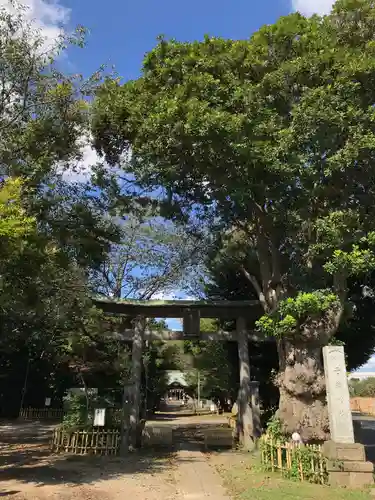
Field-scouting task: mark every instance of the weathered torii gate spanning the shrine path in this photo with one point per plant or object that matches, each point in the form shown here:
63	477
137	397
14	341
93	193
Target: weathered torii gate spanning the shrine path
248	420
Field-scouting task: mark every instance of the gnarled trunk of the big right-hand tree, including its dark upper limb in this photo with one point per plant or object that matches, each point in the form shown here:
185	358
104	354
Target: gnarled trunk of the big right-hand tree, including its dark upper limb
301	381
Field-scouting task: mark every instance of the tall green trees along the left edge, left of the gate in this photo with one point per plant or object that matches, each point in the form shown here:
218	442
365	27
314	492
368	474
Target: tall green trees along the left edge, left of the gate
52	232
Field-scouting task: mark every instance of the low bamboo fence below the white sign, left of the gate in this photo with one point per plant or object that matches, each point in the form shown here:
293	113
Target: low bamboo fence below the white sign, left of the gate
92	442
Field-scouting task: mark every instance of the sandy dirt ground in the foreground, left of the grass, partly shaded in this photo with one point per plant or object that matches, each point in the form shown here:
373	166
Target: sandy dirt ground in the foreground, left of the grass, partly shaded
29	471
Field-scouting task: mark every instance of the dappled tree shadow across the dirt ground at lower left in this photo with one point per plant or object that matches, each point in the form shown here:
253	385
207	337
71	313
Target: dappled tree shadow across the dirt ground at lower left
25	457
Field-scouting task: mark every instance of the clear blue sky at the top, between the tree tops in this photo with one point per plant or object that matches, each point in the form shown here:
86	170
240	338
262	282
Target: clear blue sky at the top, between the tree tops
122	31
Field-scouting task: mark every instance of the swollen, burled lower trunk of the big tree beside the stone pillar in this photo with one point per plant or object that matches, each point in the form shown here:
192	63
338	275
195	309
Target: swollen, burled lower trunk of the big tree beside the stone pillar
301	381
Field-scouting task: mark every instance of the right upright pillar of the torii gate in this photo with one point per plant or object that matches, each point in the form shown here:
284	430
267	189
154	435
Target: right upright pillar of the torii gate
245	427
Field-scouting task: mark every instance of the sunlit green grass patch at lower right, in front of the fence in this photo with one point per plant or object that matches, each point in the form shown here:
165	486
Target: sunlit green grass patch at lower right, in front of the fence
245	481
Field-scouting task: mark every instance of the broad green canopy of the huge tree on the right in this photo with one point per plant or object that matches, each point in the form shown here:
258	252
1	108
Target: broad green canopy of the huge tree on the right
263	110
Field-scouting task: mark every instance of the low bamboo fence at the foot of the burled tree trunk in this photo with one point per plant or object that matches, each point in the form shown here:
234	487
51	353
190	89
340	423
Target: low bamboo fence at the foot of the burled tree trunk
303	462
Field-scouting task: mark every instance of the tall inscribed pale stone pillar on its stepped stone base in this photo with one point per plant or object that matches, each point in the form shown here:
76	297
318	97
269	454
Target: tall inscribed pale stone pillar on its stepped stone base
346	463
